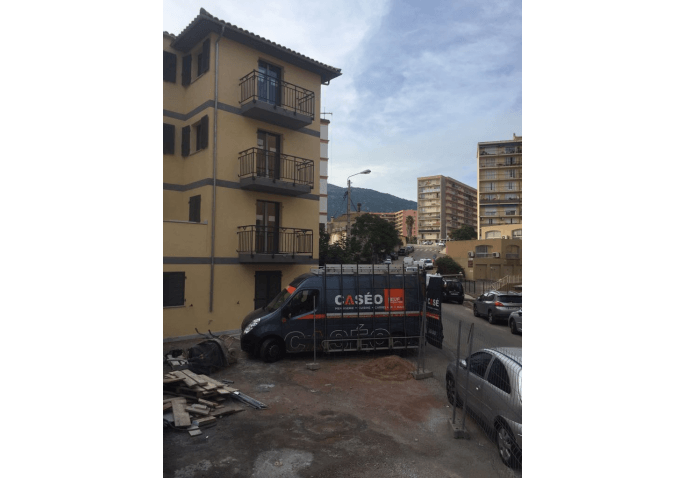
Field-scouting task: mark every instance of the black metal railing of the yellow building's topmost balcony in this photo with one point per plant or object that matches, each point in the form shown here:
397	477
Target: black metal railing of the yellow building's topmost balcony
256	86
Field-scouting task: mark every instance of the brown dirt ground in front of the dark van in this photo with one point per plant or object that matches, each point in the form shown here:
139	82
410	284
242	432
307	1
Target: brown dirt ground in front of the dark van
359	415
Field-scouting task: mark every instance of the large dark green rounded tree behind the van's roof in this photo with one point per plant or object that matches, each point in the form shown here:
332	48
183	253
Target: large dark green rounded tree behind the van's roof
371	237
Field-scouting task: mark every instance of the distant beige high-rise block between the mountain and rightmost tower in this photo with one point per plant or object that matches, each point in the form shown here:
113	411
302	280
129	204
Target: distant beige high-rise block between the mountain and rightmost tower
443	204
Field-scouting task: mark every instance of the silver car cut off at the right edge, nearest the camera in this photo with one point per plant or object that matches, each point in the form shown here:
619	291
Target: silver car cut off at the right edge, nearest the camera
490	382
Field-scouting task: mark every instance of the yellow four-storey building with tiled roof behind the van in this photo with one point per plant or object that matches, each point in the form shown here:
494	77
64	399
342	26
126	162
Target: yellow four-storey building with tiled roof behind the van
241	173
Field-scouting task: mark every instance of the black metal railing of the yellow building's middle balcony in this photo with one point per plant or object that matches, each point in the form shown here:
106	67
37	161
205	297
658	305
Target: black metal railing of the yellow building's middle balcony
284	167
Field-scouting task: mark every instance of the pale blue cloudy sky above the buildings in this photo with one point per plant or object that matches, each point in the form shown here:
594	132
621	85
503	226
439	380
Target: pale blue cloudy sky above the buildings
422	83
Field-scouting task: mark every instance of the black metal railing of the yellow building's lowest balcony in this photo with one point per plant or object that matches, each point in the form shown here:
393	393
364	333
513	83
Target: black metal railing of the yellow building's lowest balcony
255	239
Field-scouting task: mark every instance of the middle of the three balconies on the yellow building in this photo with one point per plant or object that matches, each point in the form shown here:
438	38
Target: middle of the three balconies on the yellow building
275	173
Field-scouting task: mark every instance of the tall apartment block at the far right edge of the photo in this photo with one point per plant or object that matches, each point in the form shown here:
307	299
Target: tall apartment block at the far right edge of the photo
500	188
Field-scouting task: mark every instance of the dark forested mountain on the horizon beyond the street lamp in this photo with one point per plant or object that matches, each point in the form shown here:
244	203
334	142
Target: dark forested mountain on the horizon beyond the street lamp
372	201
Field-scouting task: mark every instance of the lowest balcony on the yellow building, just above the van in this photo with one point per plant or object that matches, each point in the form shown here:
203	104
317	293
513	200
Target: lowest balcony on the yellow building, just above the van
269	245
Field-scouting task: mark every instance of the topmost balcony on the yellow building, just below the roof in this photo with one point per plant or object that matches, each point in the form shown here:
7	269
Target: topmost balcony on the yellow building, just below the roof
275	101
